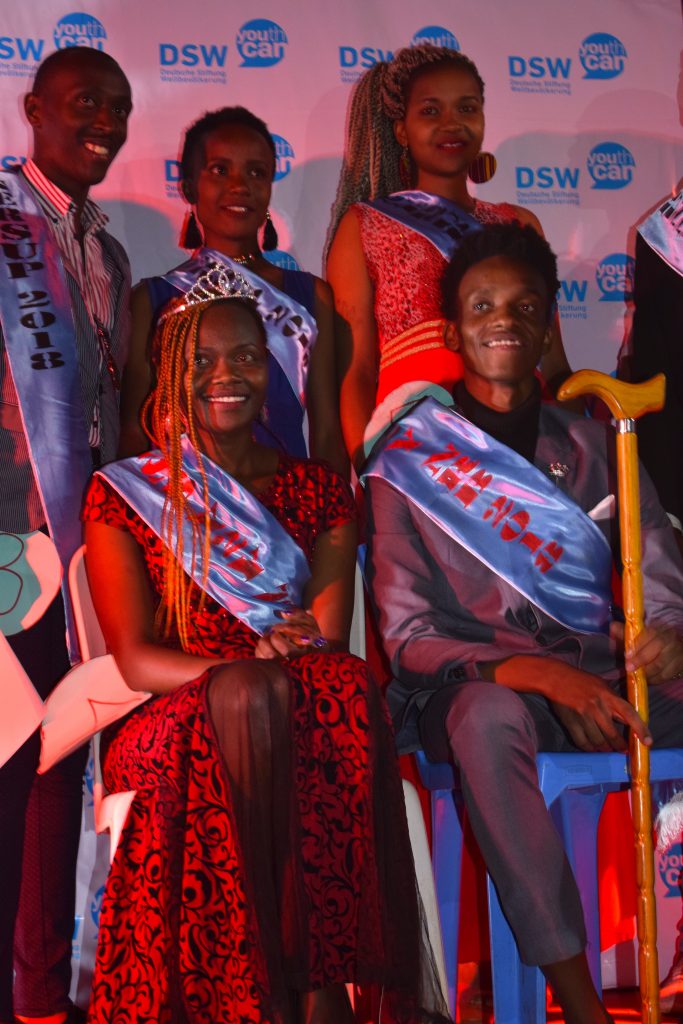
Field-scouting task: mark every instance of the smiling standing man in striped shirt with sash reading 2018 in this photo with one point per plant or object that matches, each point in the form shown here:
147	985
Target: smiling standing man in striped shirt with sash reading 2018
59	417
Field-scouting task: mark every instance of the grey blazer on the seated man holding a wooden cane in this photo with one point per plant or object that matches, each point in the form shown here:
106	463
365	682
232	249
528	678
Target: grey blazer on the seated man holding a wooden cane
442	612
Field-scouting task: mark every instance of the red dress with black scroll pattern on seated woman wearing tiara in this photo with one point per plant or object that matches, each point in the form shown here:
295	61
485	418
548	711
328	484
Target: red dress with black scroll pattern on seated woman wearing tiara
180	941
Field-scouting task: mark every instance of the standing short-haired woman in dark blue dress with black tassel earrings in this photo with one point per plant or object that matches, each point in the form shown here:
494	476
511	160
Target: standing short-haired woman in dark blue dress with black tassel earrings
228	166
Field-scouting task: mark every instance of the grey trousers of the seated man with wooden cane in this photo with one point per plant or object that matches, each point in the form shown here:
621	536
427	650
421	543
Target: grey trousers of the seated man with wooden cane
493	735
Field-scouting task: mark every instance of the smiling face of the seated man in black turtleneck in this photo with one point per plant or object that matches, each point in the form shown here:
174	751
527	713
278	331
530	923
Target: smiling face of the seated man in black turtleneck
501	330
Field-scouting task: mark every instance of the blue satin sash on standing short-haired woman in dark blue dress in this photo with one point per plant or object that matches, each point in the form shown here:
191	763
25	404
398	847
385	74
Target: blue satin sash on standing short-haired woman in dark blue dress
292	331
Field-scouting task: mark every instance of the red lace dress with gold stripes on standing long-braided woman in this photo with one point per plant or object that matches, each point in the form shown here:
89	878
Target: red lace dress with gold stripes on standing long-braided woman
406	271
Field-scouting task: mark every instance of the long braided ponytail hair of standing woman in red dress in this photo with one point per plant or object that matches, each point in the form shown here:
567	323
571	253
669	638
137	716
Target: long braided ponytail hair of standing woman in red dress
371	165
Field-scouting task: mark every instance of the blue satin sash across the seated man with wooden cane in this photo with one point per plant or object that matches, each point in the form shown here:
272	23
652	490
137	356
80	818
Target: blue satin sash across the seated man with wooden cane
503	510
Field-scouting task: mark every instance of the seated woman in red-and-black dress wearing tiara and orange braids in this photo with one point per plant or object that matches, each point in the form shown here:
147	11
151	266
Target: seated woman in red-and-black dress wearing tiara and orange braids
266	863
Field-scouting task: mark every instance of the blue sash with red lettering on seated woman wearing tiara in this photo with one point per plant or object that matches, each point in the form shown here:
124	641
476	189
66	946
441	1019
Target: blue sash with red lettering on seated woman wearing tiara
257	570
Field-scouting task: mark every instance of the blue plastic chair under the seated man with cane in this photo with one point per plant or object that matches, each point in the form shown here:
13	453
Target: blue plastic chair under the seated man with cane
575	787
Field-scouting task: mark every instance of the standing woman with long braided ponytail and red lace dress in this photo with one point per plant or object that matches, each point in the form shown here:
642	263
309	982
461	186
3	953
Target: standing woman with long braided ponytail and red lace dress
416	123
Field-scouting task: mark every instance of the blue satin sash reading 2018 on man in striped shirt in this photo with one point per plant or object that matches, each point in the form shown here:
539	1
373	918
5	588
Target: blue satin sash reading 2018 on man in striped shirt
38	329
